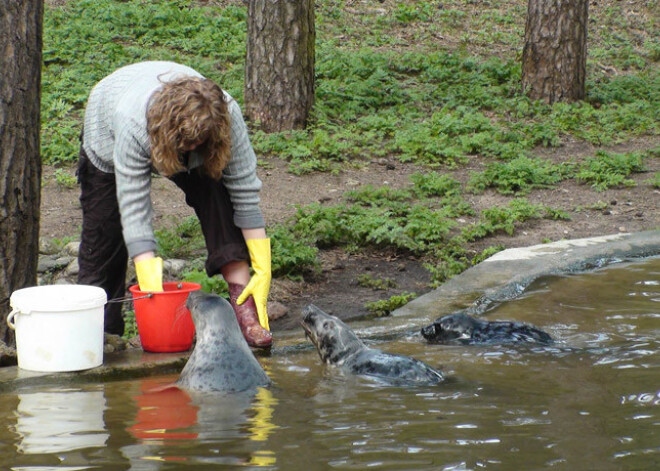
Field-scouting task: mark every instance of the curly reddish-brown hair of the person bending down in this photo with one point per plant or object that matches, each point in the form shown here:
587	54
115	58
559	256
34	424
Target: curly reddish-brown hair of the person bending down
185	113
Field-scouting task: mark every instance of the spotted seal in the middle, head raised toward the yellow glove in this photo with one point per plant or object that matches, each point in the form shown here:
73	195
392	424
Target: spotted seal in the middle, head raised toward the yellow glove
338	345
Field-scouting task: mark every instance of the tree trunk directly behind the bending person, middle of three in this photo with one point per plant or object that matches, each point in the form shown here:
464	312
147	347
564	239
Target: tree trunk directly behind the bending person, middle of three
279	66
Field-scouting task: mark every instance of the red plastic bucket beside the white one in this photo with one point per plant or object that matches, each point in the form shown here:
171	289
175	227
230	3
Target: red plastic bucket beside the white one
163	320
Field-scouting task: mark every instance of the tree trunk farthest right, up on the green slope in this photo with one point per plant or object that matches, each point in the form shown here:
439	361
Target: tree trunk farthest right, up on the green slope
555	52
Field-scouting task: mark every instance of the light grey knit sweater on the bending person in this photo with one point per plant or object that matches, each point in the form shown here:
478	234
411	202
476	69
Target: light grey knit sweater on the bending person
116	141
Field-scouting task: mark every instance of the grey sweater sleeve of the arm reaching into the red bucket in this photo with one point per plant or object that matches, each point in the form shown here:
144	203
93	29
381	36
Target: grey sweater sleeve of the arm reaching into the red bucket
133	177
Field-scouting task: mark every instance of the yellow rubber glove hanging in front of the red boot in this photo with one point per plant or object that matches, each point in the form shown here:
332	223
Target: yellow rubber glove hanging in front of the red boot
259	285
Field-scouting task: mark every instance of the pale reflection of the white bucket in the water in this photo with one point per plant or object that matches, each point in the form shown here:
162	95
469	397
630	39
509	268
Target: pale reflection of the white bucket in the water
60	421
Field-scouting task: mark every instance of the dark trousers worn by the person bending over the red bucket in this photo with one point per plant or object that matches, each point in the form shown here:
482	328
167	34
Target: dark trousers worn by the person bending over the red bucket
103	256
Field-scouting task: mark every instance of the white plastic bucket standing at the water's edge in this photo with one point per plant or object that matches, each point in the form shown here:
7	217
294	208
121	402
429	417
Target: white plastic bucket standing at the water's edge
58	327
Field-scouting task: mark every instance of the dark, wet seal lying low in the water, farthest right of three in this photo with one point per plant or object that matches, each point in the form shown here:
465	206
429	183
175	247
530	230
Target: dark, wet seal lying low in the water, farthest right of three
461	328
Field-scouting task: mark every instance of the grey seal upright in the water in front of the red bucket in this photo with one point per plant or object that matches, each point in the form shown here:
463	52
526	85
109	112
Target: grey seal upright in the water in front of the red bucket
221	359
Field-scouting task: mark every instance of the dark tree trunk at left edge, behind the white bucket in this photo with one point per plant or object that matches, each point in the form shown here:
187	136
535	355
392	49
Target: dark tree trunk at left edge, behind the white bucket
20	163
